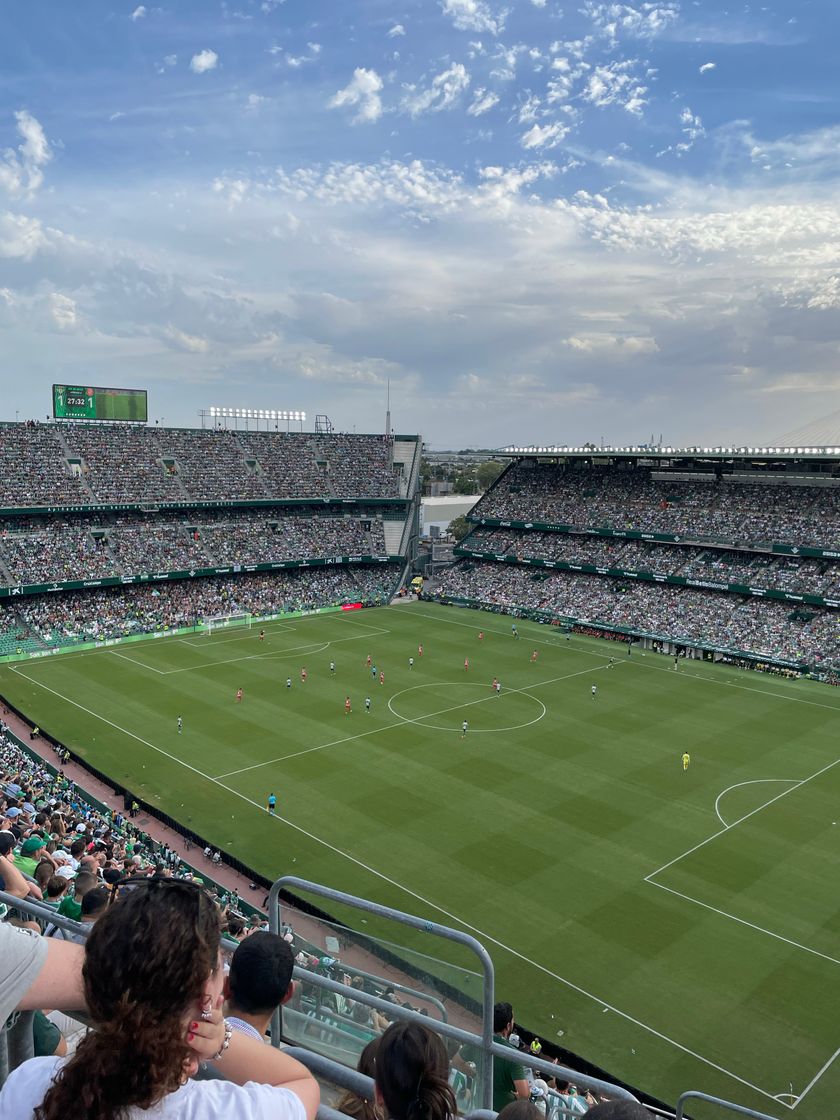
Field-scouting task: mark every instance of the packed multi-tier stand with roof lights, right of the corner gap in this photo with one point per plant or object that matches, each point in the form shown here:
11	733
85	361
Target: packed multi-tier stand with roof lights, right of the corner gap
718	544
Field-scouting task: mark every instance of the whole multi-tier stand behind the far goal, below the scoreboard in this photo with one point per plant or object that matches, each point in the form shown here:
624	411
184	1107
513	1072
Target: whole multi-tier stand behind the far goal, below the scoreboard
82	506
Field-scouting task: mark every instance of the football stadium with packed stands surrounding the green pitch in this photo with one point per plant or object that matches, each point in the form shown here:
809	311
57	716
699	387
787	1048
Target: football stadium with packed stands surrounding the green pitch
596	753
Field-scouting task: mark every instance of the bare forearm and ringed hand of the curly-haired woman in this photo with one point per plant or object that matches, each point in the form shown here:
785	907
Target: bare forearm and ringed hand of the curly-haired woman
250	1060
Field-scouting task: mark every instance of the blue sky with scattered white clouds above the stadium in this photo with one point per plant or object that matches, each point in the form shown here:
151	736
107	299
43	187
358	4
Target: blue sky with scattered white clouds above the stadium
539	221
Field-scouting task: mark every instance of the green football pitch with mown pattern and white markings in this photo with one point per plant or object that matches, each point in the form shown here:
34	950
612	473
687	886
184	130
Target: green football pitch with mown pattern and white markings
679	928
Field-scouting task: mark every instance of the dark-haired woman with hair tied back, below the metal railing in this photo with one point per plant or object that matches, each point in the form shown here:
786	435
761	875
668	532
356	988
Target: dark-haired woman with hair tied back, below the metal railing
413	1075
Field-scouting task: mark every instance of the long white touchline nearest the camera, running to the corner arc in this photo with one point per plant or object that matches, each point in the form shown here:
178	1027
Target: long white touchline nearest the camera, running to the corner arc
402	886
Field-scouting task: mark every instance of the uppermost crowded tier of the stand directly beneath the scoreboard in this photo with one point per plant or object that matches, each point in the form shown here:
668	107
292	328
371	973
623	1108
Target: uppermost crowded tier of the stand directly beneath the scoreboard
48	465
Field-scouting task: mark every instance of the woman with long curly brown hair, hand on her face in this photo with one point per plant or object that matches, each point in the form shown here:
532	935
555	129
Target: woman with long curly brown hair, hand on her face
153	983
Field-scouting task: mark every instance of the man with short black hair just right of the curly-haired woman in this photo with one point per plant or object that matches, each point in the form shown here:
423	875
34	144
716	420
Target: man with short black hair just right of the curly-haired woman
258	984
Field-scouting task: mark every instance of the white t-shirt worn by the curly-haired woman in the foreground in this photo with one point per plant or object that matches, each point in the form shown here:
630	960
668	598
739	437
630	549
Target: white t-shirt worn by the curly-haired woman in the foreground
26	1088
